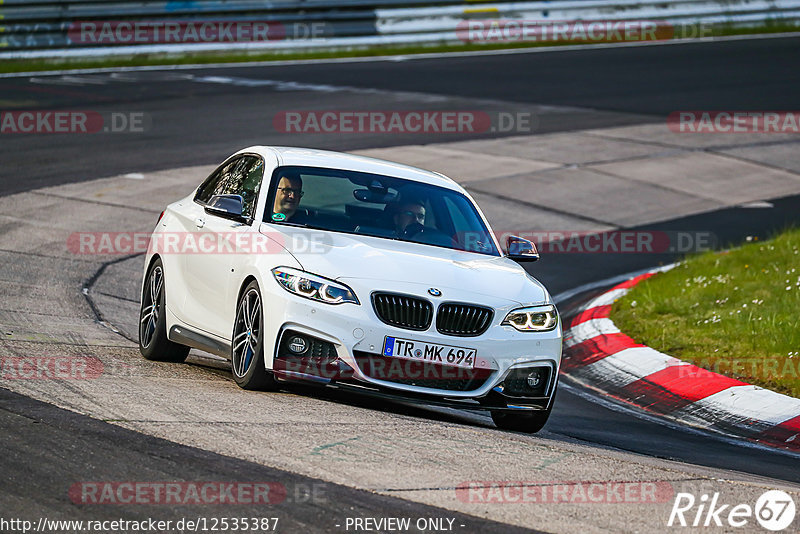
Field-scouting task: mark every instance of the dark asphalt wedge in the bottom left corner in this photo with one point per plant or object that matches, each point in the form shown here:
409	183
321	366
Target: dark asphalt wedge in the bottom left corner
72	442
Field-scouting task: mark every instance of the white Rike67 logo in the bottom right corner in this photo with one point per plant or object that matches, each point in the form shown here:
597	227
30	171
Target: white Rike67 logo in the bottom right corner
774	510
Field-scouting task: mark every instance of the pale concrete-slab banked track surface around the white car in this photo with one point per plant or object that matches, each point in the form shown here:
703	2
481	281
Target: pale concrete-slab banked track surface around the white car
584	181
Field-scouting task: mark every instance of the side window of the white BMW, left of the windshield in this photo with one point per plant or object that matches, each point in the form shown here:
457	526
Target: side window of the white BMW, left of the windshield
240	176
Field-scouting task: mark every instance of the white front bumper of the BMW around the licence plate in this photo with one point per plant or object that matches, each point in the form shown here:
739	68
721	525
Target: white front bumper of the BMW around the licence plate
355	334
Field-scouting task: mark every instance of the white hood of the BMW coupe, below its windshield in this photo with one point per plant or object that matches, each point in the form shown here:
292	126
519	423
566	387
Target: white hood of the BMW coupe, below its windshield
353	257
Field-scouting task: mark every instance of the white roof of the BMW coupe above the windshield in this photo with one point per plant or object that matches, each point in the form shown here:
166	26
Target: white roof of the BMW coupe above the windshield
311	157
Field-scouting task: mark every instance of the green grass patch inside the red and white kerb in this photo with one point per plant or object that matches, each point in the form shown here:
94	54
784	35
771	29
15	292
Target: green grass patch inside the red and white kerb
735	312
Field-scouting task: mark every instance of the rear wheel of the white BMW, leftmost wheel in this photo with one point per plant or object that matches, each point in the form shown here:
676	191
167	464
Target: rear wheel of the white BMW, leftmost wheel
153	342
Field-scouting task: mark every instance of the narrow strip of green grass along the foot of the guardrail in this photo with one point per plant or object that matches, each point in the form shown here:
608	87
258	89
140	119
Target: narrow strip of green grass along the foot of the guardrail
200	58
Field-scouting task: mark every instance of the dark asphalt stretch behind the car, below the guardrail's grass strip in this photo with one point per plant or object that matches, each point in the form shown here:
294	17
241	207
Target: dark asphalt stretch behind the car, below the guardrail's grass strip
203	122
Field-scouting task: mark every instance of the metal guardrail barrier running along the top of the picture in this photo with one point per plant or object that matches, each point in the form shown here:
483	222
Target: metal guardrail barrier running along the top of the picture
39	28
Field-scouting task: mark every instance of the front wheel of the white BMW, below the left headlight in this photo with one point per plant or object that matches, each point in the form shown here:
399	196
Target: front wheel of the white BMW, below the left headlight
247	346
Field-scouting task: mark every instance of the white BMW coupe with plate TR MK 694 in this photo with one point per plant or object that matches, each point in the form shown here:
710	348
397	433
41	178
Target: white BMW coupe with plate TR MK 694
356	273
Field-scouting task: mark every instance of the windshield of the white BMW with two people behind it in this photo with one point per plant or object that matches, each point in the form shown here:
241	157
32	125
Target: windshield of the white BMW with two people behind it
378	206
